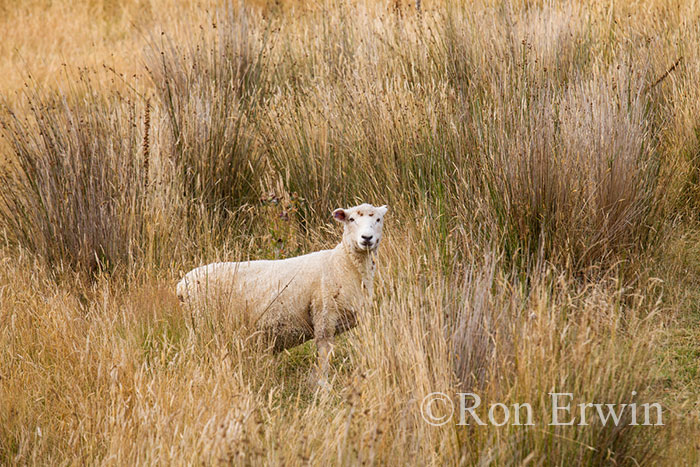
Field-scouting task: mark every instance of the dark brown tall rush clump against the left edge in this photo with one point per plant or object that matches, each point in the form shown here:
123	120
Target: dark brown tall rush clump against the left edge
76	191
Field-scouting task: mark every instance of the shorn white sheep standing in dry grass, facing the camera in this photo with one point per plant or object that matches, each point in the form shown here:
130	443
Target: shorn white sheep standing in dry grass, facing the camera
314	296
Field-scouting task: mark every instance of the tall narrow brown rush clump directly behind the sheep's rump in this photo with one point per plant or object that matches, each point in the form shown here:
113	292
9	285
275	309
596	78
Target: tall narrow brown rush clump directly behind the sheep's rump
209	91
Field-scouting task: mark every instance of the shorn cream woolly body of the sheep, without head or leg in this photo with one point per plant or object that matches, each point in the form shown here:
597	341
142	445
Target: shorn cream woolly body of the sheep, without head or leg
280	297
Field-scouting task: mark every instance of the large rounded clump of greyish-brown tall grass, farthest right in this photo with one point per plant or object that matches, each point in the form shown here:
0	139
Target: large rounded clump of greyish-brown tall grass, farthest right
574	174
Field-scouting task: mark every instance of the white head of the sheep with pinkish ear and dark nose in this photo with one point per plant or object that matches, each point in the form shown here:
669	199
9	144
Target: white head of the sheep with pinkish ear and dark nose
363	226
